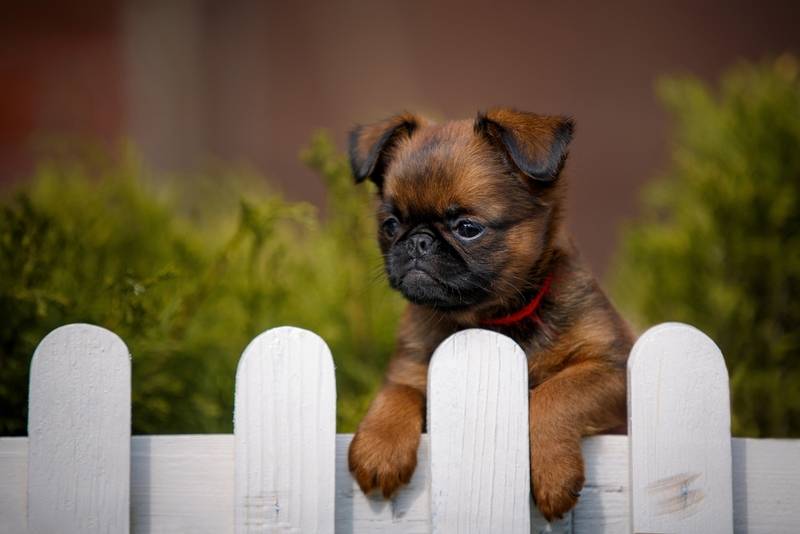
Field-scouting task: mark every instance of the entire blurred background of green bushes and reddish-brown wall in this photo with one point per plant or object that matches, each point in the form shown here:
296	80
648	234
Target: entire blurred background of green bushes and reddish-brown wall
174	171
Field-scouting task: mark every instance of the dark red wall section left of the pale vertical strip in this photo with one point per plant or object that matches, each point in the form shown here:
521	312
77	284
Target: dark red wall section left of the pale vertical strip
61	75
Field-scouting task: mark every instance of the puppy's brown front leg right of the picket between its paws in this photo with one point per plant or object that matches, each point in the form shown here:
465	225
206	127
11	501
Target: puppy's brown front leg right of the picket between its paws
583	399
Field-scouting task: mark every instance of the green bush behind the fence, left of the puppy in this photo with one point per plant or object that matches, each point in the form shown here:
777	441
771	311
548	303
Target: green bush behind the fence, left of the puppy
187	271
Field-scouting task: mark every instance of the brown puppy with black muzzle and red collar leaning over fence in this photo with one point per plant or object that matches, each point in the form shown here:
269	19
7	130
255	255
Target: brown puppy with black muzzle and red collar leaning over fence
471	228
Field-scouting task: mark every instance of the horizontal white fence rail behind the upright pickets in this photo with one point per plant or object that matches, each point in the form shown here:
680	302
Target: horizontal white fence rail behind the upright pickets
185	484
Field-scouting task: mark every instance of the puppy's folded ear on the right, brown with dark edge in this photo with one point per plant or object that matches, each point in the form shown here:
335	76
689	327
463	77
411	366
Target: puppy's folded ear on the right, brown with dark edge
535	144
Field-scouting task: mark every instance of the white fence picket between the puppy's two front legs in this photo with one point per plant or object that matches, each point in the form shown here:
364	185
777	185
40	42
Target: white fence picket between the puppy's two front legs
478	422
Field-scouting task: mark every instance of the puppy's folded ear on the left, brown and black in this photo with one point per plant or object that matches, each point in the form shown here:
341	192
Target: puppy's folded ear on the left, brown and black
371	146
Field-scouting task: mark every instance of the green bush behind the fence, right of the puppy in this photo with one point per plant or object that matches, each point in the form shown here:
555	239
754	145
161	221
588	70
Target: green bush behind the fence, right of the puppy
719	243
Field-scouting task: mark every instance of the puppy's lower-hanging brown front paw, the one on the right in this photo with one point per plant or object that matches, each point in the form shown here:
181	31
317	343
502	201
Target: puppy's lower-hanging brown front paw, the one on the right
556	477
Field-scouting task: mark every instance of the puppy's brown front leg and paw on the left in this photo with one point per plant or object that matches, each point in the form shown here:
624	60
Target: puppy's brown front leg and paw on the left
383	453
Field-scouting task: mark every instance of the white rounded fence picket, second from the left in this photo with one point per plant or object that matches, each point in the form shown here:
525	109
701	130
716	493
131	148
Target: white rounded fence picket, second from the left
285	432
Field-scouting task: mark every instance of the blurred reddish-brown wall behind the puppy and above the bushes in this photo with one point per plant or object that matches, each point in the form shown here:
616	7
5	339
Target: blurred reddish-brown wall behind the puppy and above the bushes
248	82
